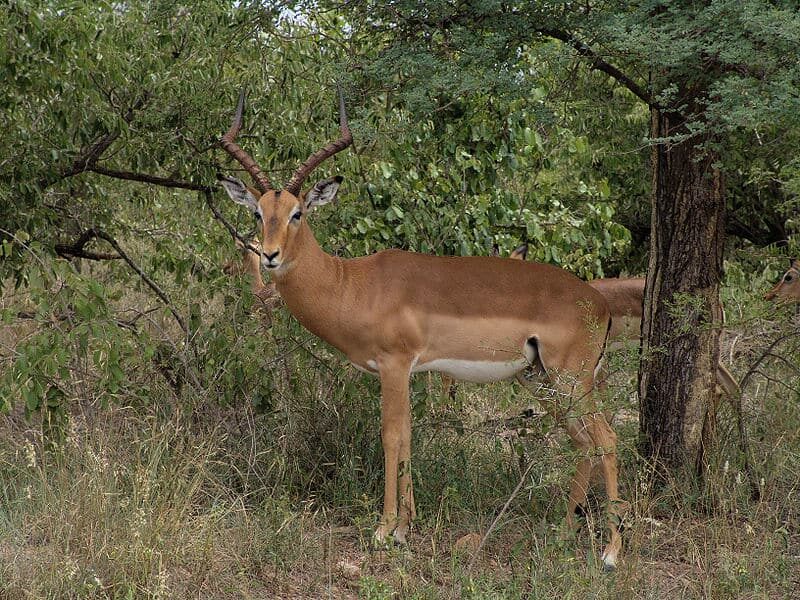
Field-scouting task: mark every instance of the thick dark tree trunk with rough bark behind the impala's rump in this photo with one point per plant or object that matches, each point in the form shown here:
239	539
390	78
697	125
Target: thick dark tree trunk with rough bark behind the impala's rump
682	311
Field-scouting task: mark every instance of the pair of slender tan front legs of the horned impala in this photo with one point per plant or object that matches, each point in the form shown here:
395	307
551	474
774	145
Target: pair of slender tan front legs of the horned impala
398	493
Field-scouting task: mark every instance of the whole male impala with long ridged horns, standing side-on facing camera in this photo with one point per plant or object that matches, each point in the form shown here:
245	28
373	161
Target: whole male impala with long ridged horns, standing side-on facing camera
395	313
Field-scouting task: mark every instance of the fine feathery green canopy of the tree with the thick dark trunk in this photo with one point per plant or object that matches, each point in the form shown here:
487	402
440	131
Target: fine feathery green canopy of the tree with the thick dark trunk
728	68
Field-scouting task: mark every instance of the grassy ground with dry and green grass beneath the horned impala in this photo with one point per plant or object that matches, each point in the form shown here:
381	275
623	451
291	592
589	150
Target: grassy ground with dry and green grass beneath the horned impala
189	496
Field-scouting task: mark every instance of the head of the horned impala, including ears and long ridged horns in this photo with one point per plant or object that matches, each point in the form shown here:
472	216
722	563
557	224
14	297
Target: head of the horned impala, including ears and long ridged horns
281	212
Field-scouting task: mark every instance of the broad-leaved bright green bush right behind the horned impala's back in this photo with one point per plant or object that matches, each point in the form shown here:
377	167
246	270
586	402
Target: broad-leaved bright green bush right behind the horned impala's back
456	187
